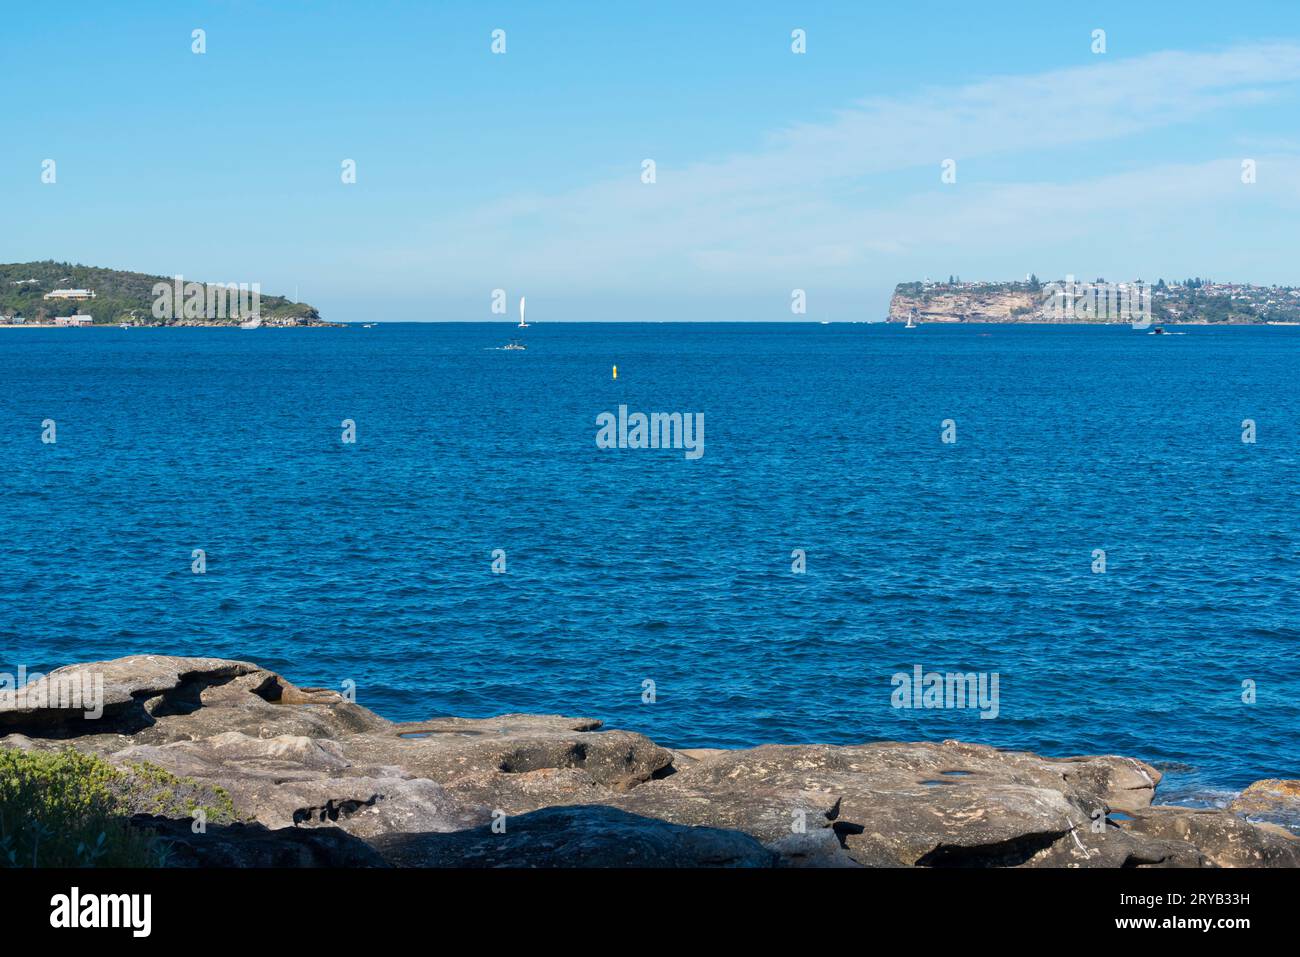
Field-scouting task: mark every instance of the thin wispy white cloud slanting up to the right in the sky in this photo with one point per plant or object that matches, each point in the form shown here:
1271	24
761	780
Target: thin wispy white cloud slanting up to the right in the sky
860	189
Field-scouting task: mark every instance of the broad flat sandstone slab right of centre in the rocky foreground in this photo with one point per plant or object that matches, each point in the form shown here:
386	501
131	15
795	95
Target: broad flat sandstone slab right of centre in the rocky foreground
896	806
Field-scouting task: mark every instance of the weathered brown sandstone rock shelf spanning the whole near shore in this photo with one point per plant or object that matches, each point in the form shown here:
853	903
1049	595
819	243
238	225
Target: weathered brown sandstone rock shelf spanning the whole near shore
313	780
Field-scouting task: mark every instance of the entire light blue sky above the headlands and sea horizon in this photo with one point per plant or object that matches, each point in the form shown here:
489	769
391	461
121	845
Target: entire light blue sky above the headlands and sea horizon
775	171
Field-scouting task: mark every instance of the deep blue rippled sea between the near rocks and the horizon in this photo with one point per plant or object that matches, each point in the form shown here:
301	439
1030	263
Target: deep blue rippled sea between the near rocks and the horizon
372	562
